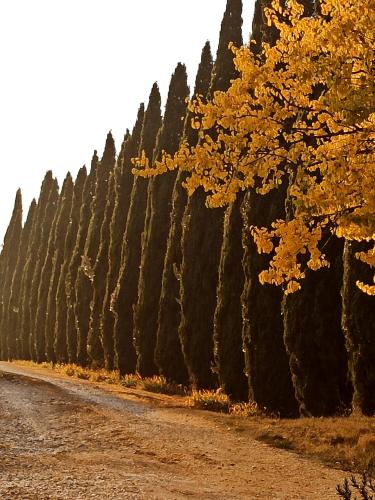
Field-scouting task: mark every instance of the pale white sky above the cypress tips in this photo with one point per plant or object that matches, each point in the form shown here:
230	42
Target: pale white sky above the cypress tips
71	70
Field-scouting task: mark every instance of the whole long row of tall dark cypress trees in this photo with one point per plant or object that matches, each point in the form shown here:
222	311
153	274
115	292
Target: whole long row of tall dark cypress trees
128	273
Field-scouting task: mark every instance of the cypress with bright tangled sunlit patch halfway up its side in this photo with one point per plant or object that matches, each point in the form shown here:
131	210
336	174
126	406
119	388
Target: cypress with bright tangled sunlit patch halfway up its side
96	275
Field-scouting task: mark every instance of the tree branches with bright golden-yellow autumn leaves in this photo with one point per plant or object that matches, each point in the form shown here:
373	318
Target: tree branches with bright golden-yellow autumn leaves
302	109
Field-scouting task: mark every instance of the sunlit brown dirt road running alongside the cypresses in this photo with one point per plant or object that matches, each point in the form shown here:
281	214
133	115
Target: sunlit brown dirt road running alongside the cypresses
69	439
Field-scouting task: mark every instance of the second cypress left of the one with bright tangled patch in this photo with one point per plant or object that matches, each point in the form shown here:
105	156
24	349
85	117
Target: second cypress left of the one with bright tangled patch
72	220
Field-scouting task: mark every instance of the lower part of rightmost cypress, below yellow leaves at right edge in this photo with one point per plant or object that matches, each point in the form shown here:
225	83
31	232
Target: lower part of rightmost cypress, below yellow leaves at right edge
358	321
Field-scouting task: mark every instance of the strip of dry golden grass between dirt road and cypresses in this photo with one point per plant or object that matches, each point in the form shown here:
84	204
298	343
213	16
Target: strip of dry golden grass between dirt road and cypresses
346	442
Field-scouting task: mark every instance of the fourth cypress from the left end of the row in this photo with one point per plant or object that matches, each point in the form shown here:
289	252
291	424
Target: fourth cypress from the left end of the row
44	332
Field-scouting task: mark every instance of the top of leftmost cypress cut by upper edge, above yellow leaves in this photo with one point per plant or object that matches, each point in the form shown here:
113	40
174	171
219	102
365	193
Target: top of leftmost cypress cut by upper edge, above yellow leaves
231	31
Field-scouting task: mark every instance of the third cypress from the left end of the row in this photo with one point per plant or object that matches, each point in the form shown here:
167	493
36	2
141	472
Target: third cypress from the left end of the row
27	310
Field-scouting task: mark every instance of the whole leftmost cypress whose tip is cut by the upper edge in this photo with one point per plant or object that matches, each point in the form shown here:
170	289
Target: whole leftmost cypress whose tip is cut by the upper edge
202	236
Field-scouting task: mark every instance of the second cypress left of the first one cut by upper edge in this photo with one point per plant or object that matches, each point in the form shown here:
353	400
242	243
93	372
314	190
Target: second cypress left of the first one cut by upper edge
157	224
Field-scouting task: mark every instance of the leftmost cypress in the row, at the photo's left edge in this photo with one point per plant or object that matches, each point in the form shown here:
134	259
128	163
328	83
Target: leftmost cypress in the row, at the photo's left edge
8	261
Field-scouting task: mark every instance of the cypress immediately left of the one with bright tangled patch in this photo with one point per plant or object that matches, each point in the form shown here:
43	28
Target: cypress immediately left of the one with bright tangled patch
77	324
